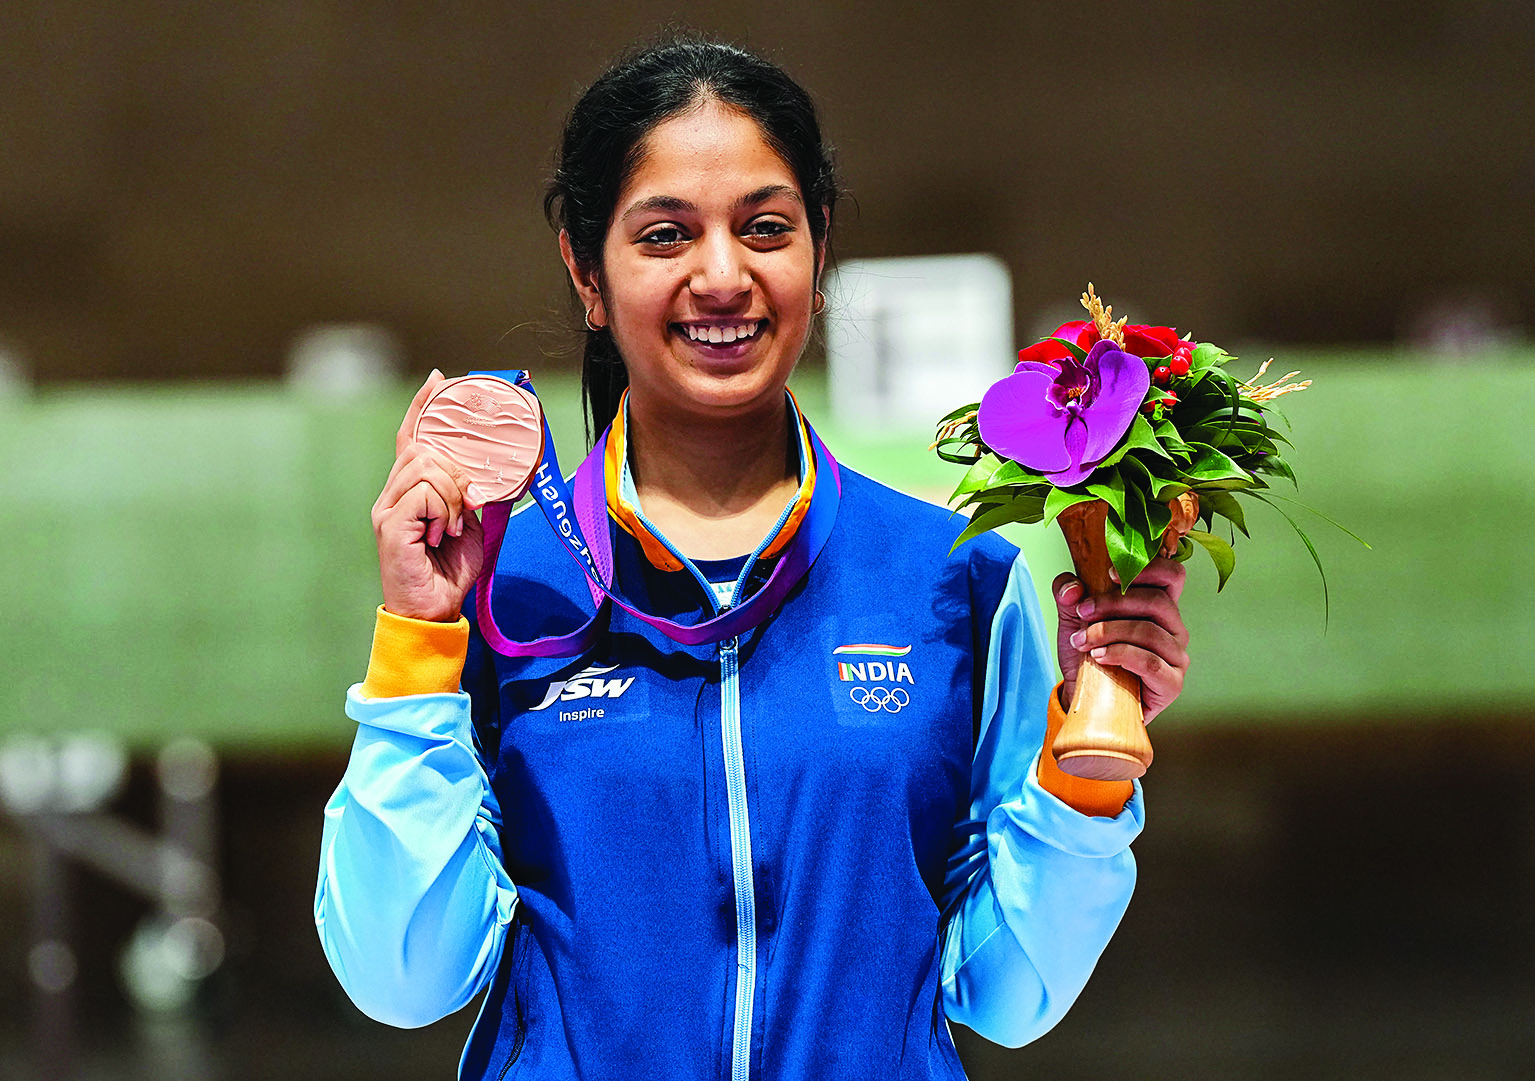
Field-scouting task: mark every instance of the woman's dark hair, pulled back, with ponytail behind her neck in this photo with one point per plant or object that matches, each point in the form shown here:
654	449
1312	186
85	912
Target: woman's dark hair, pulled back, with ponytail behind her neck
604	137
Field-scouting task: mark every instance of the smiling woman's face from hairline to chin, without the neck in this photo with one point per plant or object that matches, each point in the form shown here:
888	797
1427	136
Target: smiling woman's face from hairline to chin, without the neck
708	271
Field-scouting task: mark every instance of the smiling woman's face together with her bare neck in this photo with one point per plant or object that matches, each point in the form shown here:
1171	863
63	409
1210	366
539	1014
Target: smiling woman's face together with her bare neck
705	285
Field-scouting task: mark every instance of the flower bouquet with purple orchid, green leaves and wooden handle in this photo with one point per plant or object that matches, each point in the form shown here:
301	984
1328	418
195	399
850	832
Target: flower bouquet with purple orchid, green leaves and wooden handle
1131	437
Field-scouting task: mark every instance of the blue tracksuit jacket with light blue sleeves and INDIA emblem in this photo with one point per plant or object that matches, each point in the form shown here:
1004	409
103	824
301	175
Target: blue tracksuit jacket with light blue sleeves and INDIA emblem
787	856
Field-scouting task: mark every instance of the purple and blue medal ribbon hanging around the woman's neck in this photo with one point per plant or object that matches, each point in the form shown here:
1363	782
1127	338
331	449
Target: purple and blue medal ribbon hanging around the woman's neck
583	512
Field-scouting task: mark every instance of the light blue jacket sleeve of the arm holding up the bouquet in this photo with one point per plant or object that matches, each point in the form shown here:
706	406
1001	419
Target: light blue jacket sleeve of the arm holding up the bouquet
1037	888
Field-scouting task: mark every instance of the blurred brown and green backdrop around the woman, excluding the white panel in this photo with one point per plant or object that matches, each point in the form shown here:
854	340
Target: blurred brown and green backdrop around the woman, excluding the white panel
236	237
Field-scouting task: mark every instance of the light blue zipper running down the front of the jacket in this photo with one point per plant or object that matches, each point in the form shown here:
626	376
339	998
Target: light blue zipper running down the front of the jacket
741	861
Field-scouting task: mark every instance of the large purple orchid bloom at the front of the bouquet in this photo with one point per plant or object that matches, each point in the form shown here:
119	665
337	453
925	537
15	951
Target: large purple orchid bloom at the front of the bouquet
1063	418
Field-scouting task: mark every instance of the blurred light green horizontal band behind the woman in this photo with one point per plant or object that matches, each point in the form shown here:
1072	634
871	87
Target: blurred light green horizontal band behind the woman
200	561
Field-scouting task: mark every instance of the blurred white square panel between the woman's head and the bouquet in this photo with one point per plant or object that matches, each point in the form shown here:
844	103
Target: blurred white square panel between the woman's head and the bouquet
909	340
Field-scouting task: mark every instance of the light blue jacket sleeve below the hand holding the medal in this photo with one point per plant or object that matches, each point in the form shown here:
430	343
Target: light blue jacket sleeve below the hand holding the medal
414	902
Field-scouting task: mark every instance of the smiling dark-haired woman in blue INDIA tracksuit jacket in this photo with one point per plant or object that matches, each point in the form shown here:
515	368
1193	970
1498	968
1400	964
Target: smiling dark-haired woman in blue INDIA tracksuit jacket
790	851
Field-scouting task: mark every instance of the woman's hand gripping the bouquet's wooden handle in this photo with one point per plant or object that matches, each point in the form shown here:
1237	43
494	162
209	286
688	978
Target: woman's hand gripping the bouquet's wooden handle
1141	632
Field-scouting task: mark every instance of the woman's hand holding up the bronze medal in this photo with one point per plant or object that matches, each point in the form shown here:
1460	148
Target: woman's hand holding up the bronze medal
427	532
